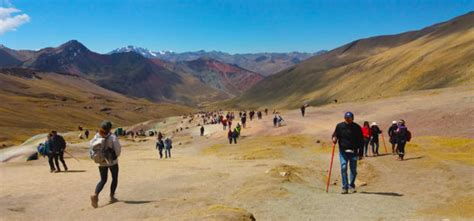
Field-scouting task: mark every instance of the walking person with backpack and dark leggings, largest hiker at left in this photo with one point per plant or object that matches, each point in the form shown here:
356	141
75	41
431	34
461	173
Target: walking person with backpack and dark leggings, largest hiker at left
105	150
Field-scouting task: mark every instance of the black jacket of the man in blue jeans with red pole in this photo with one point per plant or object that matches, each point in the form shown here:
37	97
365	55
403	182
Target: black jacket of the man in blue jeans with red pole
349	137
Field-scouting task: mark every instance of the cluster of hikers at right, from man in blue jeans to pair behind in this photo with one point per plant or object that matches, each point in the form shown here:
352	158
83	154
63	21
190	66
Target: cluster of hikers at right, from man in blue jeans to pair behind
353	144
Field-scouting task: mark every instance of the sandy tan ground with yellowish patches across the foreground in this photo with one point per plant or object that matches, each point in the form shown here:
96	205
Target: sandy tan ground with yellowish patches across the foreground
271	174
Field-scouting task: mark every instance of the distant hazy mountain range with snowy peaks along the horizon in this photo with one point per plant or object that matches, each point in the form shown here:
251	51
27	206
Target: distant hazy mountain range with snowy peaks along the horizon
262	63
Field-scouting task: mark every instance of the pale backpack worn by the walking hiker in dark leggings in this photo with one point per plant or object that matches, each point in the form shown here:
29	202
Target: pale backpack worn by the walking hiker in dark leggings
100	153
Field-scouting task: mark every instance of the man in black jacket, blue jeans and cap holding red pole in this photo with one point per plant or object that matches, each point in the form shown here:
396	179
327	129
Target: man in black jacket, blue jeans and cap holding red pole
351	141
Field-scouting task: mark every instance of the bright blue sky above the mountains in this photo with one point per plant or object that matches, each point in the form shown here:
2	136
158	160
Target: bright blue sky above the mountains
231	26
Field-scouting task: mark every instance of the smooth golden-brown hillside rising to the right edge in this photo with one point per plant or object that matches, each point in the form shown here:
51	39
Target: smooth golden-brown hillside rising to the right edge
438	56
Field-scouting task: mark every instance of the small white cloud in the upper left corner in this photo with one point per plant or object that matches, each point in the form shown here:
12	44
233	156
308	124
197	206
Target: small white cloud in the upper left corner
9	21
